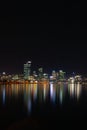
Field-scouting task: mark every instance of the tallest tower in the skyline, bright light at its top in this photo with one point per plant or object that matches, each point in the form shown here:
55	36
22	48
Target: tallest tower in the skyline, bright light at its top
27	70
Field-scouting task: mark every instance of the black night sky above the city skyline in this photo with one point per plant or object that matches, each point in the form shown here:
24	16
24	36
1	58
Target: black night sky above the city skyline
54	39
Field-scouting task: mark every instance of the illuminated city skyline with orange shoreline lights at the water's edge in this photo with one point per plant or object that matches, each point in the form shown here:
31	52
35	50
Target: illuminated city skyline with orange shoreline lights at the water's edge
39	76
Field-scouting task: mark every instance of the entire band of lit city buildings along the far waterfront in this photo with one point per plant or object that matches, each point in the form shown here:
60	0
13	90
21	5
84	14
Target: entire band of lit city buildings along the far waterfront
38	76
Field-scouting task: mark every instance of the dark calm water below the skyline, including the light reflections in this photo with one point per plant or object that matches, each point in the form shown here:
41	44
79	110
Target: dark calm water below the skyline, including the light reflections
43	106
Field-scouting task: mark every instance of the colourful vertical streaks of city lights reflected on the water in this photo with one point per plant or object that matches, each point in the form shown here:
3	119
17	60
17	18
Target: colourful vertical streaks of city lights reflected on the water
34	93
